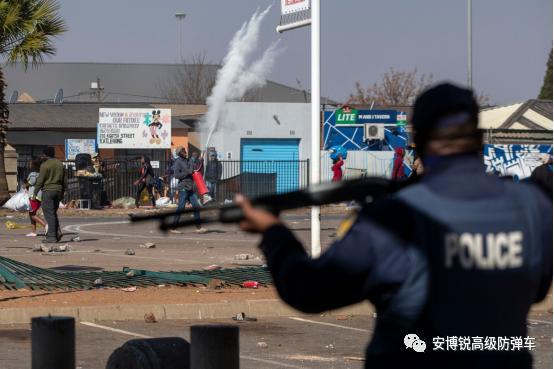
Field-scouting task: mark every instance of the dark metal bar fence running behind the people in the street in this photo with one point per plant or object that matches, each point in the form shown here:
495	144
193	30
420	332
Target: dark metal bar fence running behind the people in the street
251	178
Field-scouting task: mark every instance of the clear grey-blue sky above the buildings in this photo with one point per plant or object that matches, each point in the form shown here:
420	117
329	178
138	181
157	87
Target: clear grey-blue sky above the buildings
360	40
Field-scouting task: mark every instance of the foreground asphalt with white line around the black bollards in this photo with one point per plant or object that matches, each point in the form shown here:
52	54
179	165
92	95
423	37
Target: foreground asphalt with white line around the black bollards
317	342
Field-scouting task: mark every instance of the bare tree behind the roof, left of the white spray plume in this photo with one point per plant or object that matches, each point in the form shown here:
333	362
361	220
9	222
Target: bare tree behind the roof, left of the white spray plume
192	82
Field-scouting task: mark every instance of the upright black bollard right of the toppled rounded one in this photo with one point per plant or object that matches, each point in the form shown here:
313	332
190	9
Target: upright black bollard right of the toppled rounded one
214	347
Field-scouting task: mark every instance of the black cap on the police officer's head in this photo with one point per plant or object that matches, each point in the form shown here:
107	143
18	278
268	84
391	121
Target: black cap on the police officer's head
442	105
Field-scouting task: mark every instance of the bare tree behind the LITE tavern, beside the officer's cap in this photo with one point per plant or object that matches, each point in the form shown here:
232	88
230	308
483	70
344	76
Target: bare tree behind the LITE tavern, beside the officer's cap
396	88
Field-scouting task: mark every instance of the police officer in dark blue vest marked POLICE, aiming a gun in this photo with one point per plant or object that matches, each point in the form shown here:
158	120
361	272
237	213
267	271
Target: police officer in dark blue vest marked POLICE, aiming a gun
459	254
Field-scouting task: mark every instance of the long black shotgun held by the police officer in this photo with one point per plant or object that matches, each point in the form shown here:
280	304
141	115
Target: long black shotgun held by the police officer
361	190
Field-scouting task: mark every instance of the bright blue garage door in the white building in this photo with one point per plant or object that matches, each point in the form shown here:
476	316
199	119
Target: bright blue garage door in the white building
272	156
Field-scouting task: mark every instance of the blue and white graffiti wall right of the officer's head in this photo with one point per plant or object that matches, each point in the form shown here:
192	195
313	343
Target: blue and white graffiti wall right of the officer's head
517	161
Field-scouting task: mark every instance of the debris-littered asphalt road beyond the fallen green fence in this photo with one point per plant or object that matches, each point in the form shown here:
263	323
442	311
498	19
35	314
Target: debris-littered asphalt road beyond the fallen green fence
105	240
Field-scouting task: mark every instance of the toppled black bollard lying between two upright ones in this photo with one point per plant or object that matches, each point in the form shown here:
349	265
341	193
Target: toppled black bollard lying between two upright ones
152	353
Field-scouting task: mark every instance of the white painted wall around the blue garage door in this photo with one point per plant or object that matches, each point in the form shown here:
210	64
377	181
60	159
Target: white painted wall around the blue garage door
256	120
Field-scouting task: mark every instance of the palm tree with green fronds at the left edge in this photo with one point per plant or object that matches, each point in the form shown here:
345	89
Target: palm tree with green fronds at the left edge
27	29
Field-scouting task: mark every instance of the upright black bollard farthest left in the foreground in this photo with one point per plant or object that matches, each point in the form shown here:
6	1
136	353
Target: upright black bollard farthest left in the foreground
53	342
